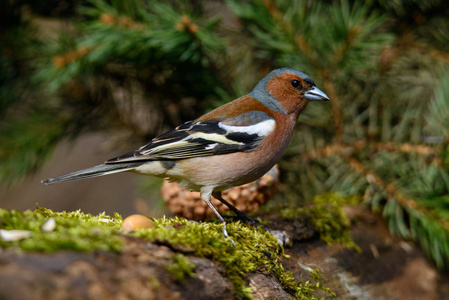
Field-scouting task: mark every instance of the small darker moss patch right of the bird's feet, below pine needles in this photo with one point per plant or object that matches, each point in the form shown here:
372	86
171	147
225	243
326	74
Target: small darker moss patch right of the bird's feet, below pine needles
326	215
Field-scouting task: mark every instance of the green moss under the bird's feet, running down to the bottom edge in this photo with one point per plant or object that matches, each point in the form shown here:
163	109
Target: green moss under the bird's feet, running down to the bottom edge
253	250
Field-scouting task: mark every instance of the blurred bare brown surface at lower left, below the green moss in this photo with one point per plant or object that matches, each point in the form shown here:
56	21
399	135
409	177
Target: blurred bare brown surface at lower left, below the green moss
139	272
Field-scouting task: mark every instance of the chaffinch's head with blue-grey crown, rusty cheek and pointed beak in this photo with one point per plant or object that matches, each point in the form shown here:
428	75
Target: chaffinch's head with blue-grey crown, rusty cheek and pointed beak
287	90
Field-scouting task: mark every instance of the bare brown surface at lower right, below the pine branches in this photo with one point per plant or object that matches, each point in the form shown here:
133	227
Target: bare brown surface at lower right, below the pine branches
387	268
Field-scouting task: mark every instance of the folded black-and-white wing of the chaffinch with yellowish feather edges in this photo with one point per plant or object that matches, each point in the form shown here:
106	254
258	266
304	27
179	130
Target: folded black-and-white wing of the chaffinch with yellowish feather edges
193	139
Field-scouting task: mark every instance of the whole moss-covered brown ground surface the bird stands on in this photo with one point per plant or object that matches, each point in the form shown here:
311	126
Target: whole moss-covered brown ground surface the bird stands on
89	257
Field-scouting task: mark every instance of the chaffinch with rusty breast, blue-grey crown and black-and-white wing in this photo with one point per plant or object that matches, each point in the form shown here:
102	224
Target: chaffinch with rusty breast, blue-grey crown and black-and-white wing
231	145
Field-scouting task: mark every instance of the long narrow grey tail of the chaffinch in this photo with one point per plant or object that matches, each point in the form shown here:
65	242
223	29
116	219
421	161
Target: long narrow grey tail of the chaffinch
96	171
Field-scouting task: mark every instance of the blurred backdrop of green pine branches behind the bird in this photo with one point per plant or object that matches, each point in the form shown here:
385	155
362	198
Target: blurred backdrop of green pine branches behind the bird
82	81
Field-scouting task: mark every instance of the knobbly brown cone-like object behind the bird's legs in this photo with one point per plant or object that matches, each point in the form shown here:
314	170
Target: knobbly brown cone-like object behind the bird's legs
246	197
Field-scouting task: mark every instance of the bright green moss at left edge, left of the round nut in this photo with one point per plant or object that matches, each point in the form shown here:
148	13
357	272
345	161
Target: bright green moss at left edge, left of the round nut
74	230
